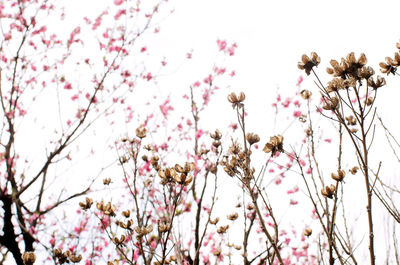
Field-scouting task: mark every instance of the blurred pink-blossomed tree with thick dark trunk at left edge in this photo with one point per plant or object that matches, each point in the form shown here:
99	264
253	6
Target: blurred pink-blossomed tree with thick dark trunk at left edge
55	85
